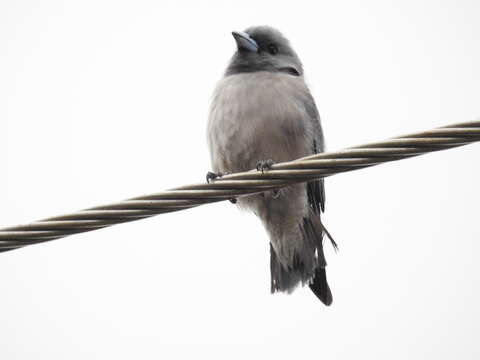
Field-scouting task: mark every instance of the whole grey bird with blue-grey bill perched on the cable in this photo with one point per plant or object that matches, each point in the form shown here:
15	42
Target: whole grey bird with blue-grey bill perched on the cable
262	112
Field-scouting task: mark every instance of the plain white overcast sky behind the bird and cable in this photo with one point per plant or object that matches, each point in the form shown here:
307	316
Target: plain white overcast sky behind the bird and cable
105	100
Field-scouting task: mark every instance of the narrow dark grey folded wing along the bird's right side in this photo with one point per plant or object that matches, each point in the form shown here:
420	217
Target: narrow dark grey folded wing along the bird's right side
315	189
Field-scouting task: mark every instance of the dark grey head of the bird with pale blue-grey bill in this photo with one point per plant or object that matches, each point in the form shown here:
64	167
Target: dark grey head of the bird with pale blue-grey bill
263	48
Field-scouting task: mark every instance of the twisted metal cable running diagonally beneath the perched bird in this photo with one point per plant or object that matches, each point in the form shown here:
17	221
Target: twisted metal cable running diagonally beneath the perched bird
240	184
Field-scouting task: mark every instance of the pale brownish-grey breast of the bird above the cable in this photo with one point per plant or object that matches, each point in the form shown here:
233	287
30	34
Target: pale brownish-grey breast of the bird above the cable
257	116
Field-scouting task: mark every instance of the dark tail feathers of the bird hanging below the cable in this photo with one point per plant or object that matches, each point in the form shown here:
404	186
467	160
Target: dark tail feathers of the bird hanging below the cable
308	265
